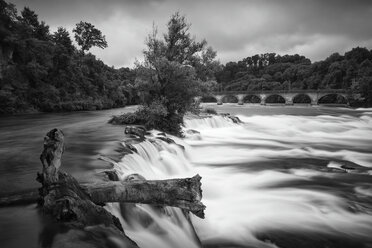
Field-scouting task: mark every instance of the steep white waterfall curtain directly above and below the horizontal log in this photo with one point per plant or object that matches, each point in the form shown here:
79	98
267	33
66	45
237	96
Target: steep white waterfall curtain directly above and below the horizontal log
153	226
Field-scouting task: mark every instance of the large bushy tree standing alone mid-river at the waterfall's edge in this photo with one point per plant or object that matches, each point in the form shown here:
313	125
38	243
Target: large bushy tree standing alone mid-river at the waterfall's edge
173	73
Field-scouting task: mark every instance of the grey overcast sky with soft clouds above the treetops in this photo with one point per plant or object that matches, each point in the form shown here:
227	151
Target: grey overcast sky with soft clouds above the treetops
235	28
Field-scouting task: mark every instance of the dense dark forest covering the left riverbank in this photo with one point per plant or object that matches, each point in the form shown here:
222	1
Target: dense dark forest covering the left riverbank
43	71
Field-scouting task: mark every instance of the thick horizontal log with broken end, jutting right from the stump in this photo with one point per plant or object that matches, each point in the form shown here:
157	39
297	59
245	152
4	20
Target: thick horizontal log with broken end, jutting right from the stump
182	193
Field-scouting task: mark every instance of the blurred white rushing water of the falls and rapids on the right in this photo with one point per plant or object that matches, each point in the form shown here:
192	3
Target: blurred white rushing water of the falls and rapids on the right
266	182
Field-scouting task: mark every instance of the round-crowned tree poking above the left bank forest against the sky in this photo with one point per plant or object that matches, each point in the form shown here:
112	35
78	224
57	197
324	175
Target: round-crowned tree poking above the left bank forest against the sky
87	36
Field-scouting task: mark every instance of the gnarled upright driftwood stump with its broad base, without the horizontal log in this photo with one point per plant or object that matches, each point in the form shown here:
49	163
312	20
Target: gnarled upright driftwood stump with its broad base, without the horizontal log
62	198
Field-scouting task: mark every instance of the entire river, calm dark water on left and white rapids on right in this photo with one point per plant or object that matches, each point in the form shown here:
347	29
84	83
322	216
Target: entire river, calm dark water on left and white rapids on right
286	177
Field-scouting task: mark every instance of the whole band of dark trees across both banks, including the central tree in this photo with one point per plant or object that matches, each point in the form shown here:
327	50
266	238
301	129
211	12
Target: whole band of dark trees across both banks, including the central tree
44	71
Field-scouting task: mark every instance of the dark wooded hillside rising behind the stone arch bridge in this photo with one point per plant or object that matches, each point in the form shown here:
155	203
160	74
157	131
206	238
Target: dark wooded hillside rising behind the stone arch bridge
270	71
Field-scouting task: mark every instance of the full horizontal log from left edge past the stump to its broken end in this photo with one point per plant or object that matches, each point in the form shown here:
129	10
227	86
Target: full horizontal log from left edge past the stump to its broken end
182	193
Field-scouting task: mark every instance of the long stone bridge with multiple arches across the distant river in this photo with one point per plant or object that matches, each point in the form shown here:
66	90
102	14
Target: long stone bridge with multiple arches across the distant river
288	96
